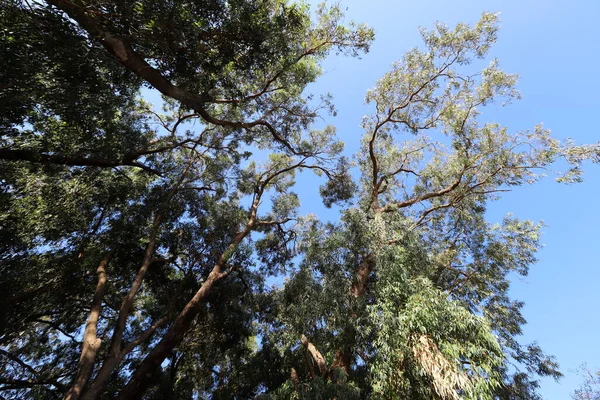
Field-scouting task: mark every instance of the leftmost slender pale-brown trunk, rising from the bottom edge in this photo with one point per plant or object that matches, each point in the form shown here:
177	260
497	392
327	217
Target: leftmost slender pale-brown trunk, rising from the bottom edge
91	342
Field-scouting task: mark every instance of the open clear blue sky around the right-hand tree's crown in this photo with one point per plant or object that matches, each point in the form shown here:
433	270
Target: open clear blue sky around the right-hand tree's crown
555	47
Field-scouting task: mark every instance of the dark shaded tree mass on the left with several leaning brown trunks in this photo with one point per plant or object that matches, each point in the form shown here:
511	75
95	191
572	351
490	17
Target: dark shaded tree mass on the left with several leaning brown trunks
128	217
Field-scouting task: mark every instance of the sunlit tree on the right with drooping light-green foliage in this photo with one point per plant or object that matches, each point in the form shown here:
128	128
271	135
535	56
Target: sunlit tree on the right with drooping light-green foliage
412	282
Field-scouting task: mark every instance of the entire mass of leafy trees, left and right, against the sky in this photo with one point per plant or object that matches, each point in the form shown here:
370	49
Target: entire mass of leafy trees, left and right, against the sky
139	241
